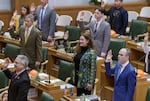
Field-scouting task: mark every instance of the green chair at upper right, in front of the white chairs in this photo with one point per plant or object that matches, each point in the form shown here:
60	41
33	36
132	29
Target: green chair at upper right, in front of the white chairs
137	28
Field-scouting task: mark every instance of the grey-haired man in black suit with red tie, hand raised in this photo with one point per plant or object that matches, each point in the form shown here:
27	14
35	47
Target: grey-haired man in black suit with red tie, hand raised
20	82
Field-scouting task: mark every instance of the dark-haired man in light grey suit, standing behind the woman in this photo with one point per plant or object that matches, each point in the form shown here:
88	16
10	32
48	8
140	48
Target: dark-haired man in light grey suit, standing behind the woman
100	31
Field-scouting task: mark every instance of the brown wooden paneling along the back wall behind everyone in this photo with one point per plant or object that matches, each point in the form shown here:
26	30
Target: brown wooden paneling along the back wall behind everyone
70	10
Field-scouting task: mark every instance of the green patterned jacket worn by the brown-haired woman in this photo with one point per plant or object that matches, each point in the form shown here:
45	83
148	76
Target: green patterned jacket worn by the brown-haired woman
87	69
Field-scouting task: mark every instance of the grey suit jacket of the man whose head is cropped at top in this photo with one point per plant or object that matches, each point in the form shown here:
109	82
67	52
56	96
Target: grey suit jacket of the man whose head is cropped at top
48	28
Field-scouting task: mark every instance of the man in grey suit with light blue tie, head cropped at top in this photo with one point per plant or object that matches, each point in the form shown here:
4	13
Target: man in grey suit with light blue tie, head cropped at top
46	17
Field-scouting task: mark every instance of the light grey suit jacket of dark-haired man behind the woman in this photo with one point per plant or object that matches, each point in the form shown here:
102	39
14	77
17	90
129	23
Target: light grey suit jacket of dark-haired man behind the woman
101	38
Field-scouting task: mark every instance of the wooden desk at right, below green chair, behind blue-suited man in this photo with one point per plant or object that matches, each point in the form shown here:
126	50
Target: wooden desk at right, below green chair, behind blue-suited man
137	54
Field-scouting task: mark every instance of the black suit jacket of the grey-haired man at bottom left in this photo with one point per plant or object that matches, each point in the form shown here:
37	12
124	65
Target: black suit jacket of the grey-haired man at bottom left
19	86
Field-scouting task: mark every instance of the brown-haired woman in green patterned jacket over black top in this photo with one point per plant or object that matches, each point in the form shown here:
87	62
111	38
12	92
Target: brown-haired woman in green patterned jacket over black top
85	65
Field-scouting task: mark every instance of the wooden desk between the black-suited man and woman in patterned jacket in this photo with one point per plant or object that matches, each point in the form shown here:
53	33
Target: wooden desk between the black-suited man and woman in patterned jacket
53	89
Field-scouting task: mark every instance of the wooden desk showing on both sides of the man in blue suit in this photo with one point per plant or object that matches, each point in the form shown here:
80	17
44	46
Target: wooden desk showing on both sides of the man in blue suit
108	84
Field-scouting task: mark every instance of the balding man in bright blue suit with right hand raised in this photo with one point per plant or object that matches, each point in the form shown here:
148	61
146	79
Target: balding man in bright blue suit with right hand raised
124	76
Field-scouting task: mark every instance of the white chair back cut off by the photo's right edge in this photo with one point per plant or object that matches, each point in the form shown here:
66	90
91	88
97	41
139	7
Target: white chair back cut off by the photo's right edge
145	12
